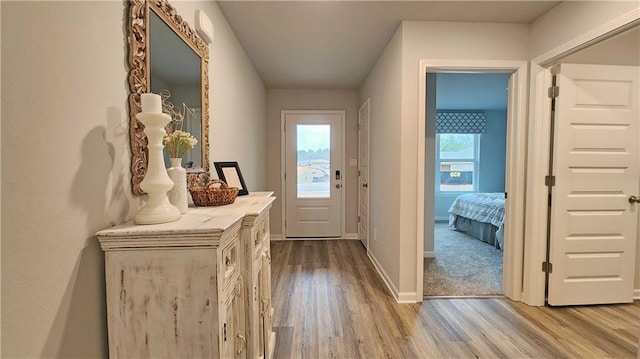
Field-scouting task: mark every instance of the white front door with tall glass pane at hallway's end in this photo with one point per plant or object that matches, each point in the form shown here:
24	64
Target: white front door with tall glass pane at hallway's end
314	173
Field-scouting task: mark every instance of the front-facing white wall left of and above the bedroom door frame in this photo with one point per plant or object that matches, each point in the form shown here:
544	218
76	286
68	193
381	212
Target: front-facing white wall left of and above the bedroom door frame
439	40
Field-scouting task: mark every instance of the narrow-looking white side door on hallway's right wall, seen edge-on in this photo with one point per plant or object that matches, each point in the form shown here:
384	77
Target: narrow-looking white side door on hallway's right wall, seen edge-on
363	171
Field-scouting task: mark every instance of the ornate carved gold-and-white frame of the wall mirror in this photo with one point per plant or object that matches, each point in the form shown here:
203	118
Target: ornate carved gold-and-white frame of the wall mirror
139	83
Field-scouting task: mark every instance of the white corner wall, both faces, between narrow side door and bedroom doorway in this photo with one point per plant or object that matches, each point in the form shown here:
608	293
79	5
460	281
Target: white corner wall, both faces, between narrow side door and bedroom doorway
419	40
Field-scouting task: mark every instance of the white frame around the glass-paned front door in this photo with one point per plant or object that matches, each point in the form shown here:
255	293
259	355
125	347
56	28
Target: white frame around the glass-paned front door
283	164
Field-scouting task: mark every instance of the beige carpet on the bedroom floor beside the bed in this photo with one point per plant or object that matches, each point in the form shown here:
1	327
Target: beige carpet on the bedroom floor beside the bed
463	265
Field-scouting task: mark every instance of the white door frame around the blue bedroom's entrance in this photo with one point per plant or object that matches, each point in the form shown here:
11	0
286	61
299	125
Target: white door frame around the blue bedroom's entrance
515	167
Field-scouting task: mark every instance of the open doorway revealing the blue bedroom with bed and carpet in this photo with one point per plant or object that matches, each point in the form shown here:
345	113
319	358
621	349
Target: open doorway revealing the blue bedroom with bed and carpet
469	176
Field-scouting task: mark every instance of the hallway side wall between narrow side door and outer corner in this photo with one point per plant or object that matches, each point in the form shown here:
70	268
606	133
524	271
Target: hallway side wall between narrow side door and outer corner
384	88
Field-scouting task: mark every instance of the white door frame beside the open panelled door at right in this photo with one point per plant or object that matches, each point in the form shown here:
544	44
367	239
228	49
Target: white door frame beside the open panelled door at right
539	138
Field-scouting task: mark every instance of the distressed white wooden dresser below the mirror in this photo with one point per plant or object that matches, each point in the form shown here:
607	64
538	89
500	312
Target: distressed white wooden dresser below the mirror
199	287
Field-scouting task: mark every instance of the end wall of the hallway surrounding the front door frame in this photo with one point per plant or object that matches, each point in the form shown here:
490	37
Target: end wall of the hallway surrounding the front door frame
297	99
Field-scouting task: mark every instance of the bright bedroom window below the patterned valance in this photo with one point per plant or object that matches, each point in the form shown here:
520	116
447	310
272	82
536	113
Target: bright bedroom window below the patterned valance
457	162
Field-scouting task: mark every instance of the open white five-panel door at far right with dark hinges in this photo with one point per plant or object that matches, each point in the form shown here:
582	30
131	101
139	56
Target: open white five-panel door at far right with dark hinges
596	168
